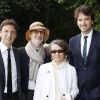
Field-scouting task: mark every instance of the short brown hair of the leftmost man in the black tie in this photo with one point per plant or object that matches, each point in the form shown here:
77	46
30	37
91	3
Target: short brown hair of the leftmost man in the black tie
8	22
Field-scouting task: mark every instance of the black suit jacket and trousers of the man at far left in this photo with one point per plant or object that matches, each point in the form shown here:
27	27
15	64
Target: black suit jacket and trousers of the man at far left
17	95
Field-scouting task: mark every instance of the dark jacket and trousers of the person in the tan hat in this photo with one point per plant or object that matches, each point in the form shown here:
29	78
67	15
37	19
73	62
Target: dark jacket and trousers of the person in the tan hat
25	73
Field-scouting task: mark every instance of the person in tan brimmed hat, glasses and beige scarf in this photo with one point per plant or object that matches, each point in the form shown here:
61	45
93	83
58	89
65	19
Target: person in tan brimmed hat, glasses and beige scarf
33	55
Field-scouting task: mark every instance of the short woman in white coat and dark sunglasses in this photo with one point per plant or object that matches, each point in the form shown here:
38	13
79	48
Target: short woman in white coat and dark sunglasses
56	80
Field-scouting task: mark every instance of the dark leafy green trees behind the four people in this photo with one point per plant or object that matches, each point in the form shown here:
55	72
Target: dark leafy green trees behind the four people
57	15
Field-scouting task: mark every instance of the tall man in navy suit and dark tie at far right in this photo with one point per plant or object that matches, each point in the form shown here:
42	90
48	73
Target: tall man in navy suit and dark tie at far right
85	55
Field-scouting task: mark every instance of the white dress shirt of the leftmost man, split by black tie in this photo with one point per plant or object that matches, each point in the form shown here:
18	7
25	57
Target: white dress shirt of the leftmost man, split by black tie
4	54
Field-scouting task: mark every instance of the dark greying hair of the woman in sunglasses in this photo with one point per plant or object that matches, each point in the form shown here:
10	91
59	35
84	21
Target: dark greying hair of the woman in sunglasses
63	44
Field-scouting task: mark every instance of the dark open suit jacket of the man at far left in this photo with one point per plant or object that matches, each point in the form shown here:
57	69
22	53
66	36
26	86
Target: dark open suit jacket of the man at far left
2	74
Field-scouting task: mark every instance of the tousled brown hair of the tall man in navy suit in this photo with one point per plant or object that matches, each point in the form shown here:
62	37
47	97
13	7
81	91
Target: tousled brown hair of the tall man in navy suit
85	10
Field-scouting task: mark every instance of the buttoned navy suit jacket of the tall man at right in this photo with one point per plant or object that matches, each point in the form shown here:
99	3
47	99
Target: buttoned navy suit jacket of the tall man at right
89	73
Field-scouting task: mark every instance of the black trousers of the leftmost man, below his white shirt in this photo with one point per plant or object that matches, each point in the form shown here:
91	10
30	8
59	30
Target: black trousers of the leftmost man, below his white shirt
13	96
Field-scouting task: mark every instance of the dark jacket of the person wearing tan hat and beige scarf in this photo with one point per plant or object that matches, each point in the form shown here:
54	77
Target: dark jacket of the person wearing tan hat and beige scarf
25	68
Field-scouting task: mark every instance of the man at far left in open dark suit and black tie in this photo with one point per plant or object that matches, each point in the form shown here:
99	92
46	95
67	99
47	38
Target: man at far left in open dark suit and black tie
10	76
